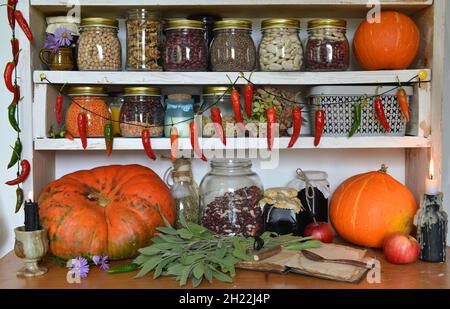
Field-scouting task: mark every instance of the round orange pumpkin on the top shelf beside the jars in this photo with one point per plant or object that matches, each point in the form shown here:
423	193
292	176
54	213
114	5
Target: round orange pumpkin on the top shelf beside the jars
391	44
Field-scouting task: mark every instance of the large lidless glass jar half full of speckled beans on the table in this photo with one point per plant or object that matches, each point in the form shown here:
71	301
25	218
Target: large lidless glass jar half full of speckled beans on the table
229	196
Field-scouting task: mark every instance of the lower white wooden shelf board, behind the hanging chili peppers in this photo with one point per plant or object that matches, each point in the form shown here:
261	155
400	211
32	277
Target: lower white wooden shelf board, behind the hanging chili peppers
239	143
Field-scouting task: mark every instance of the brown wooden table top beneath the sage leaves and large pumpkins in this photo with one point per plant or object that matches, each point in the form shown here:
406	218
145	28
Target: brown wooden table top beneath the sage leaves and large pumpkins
414	276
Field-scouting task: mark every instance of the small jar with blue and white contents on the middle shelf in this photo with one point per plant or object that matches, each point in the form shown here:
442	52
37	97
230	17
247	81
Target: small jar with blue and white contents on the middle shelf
179	113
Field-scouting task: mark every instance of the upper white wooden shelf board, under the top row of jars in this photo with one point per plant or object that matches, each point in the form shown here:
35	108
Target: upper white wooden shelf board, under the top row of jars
220	78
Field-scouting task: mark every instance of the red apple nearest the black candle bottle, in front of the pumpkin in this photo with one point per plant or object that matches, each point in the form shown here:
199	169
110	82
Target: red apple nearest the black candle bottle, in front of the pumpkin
400	248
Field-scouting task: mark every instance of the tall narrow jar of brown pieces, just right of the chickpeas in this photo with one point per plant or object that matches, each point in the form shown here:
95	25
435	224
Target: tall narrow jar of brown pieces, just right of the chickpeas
143	40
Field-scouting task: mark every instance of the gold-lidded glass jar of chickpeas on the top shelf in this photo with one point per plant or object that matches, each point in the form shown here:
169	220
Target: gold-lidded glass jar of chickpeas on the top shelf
99	45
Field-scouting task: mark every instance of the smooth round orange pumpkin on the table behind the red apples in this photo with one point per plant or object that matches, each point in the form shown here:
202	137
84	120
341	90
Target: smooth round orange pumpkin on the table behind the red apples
368	207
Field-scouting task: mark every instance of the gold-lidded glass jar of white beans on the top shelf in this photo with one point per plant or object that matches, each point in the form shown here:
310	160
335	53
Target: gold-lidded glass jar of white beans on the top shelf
280	48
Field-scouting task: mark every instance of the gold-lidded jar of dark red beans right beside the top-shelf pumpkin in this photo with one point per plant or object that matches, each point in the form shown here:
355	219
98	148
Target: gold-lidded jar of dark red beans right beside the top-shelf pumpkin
327	48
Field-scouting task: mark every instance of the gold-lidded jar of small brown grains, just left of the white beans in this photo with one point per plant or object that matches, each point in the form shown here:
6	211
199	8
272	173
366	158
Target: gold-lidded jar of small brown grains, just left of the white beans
232	48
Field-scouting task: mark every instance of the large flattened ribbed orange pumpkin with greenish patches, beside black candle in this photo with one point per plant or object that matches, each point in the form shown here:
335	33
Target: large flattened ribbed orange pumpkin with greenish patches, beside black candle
109	210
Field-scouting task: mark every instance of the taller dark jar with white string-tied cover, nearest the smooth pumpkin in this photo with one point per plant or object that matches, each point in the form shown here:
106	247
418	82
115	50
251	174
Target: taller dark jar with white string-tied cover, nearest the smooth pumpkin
313	191
